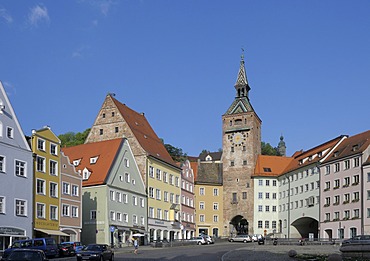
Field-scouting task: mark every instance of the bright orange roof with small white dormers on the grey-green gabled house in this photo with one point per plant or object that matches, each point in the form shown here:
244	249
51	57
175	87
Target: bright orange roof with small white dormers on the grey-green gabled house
105	151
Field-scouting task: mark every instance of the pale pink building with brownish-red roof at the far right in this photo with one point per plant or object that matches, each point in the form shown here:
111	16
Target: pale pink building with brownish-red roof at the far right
345	188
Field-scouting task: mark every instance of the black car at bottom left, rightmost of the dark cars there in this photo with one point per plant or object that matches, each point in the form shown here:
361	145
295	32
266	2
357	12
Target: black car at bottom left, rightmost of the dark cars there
96	252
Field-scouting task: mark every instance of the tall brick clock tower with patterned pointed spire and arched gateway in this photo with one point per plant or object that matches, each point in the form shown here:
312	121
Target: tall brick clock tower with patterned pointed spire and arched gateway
241	145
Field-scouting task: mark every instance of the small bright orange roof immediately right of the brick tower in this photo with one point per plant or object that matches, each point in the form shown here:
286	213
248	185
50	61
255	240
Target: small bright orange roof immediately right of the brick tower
271	166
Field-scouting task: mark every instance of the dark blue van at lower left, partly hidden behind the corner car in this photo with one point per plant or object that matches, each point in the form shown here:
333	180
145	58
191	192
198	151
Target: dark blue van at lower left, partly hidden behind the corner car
48	245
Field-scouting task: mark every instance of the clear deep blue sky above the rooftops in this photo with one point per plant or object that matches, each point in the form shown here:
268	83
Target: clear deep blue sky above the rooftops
307	62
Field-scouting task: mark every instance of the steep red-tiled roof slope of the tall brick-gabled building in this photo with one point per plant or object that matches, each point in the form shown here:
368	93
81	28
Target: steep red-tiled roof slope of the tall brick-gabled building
144	133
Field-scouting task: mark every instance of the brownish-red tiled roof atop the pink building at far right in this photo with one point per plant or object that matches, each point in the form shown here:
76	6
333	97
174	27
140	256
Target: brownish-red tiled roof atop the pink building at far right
352	145
